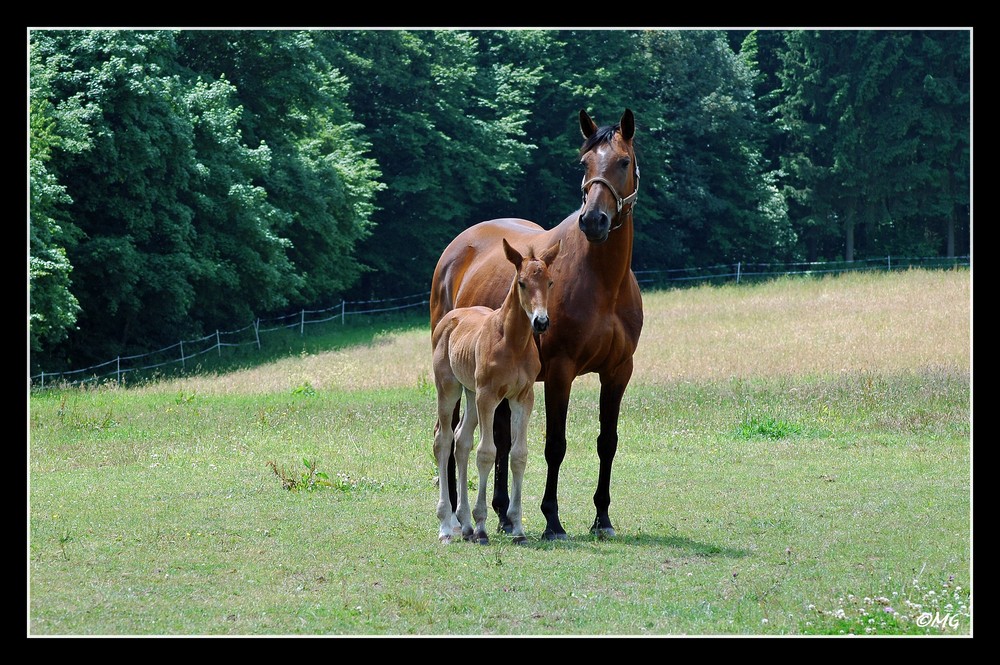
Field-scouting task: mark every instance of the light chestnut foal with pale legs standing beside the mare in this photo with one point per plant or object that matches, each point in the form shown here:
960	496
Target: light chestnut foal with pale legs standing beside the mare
491	356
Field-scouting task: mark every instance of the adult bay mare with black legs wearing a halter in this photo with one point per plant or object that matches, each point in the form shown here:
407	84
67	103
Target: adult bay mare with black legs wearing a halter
595	307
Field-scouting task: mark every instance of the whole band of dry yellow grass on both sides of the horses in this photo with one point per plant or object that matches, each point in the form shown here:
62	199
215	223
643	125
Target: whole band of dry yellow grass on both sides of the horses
857	322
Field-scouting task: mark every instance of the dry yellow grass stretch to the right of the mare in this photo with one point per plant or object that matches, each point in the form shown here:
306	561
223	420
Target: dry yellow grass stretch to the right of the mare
857	322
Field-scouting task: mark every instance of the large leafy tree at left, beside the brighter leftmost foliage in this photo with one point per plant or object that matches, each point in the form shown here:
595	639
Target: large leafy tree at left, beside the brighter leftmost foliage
143	196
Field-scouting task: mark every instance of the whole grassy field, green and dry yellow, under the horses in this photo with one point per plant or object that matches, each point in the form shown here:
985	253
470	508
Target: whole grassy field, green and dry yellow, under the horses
795	459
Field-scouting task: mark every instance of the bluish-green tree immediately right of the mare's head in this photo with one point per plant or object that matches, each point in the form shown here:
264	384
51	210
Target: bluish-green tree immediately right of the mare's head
714	194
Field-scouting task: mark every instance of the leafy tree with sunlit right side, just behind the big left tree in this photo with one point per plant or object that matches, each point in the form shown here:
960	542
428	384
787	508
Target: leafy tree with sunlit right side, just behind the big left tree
319	179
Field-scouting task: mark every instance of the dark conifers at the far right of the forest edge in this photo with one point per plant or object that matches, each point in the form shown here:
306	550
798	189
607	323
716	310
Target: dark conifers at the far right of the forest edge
877	125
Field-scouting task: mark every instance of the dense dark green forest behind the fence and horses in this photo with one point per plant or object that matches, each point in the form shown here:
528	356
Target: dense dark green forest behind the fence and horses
187	180
